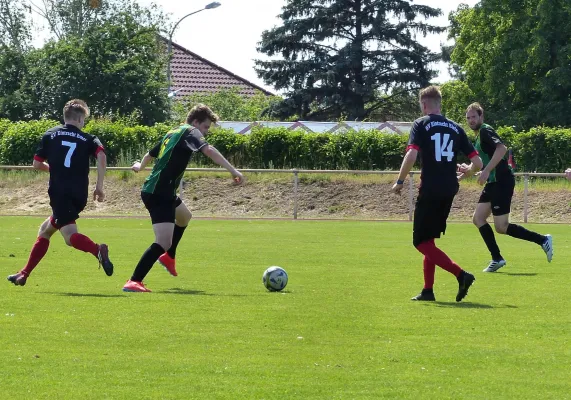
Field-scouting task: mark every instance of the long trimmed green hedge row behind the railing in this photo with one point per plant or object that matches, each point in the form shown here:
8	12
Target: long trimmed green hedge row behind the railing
540	149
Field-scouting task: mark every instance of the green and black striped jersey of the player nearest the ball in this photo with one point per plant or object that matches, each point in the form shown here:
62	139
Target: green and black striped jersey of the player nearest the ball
172	155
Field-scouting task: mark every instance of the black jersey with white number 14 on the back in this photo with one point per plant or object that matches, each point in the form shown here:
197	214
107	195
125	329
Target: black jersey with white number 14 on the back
439	140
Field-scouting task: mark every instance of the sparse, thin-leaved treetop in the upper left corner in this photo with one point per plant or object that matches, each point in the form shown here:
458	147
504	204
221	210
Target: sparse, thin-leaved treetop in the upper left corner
14	26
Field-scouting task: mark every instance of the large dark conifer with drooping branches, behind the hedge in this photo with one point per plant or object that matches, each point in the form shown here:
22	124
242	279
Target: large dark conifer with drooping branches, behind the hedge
338	55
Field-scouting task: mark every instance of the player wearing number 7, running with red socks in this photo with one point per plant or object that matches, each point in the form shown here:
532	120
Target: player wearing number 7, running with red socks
68	150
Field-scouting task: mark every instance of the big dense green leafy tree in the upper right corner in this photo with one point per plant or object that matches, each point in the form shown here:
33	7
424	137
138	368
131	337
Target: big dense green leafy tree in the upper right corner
514	56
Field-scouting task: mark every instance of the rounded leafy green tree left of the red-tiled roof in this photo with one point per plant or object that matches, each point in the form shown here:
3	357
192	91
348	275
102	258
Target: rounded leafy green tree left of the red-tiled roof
118	67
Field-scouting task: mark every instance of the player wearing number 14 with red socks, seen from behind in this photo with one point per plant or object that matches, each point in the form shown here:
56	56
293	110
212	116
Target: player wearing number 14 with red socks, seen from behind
438	140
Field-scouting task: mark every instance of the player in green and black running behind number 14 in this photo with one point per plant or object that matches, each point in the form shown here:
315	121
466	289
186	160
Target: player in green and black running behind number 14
497	194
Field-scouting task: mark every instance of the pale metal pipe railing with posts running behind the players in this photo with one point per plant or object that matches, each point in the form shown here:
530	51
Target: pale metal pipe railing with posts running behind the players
296	172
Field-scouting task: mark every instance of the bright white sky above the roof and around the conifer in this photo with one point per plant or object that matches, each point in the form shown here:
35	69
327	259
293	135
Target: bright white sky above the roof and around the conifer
228	35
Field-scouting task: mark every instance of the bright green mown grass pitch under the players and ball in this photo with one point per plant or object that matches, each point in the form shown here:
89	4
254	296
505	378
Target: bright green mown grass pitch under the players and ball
343	329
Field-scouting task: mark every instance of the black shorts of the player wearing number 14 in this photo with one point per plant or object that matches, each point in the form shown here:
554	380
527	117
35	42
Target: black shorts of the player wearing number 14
430	215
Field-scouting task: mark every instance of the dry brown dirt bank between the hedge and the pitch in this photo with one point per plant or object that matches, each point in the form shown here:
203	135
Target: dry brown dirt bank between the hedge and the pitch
342	199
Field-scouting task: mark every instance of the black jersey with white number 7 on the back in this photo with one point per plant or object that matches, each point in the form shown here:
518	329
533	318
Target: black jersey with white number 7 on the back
68	150
